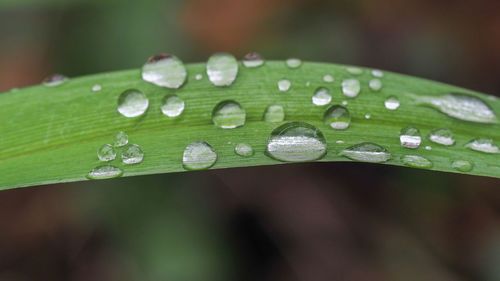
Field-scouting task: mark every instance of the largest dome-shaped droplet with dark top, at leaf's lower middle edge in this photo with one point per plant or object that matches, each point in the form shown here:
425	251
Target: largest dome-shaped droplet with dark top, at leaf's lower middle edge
296	142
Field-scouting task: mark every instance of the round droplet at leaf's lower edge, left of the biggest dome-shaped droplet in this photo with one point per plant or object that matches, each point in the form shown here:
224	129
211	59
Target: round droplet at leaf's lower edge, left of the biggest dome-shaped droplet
199	156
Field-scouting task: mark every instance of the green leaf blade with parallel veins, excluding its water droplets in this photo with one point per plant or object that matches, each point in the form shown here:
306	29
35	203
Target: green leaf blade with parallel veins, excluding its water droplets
51	134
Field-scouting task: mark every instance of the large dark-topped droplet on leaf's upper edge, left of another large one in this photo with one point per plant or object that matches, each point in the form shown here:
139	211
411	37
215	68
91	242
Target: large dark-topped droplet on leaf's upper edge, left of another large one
164	70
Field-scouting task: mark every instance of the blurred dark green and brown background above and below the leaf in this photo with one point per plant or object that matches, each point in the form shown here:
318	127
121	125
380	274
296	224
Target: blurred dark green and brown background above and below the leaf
300	222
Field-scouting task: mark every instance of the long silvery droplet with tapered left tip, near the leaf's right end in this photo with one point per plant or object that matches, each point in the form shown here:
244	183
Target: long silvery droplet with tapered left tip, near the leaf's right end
460	106
